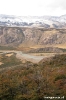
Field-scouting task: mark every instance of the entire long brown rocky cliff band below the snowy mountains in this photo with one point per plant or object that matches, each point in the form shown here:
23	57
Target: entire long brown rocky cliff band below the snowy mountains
26	36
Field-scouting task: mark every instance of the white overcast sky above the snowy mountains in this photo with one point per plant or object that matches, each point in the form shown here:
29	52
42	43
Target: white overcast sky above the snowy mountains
33	7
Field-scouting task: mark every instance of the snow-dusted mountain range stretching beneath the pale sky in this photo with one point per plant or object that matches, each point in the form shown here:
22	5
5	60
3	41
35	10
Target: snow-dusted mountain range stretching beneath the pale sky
34	21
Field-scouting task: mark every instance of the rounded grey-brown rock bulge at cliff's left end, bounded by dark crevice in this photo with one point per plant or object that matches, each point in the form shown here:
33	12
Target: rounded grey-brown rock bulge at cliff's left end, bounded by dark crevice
11	35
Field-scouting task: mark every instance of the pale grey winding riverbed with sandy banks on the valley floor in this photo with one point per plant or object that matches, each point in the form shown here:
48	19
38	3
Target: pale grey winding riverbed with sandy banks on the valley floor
24	56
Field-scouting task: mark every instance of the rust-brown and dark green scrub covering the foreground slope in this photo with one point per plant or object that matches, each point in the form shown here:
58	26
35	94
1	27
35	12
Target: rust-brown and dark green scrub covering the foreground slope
29	81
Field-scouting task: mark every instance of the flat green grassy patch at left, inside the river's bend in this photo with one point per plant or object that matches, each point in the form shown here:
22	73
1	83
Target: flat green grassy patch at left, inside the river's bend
9	61
